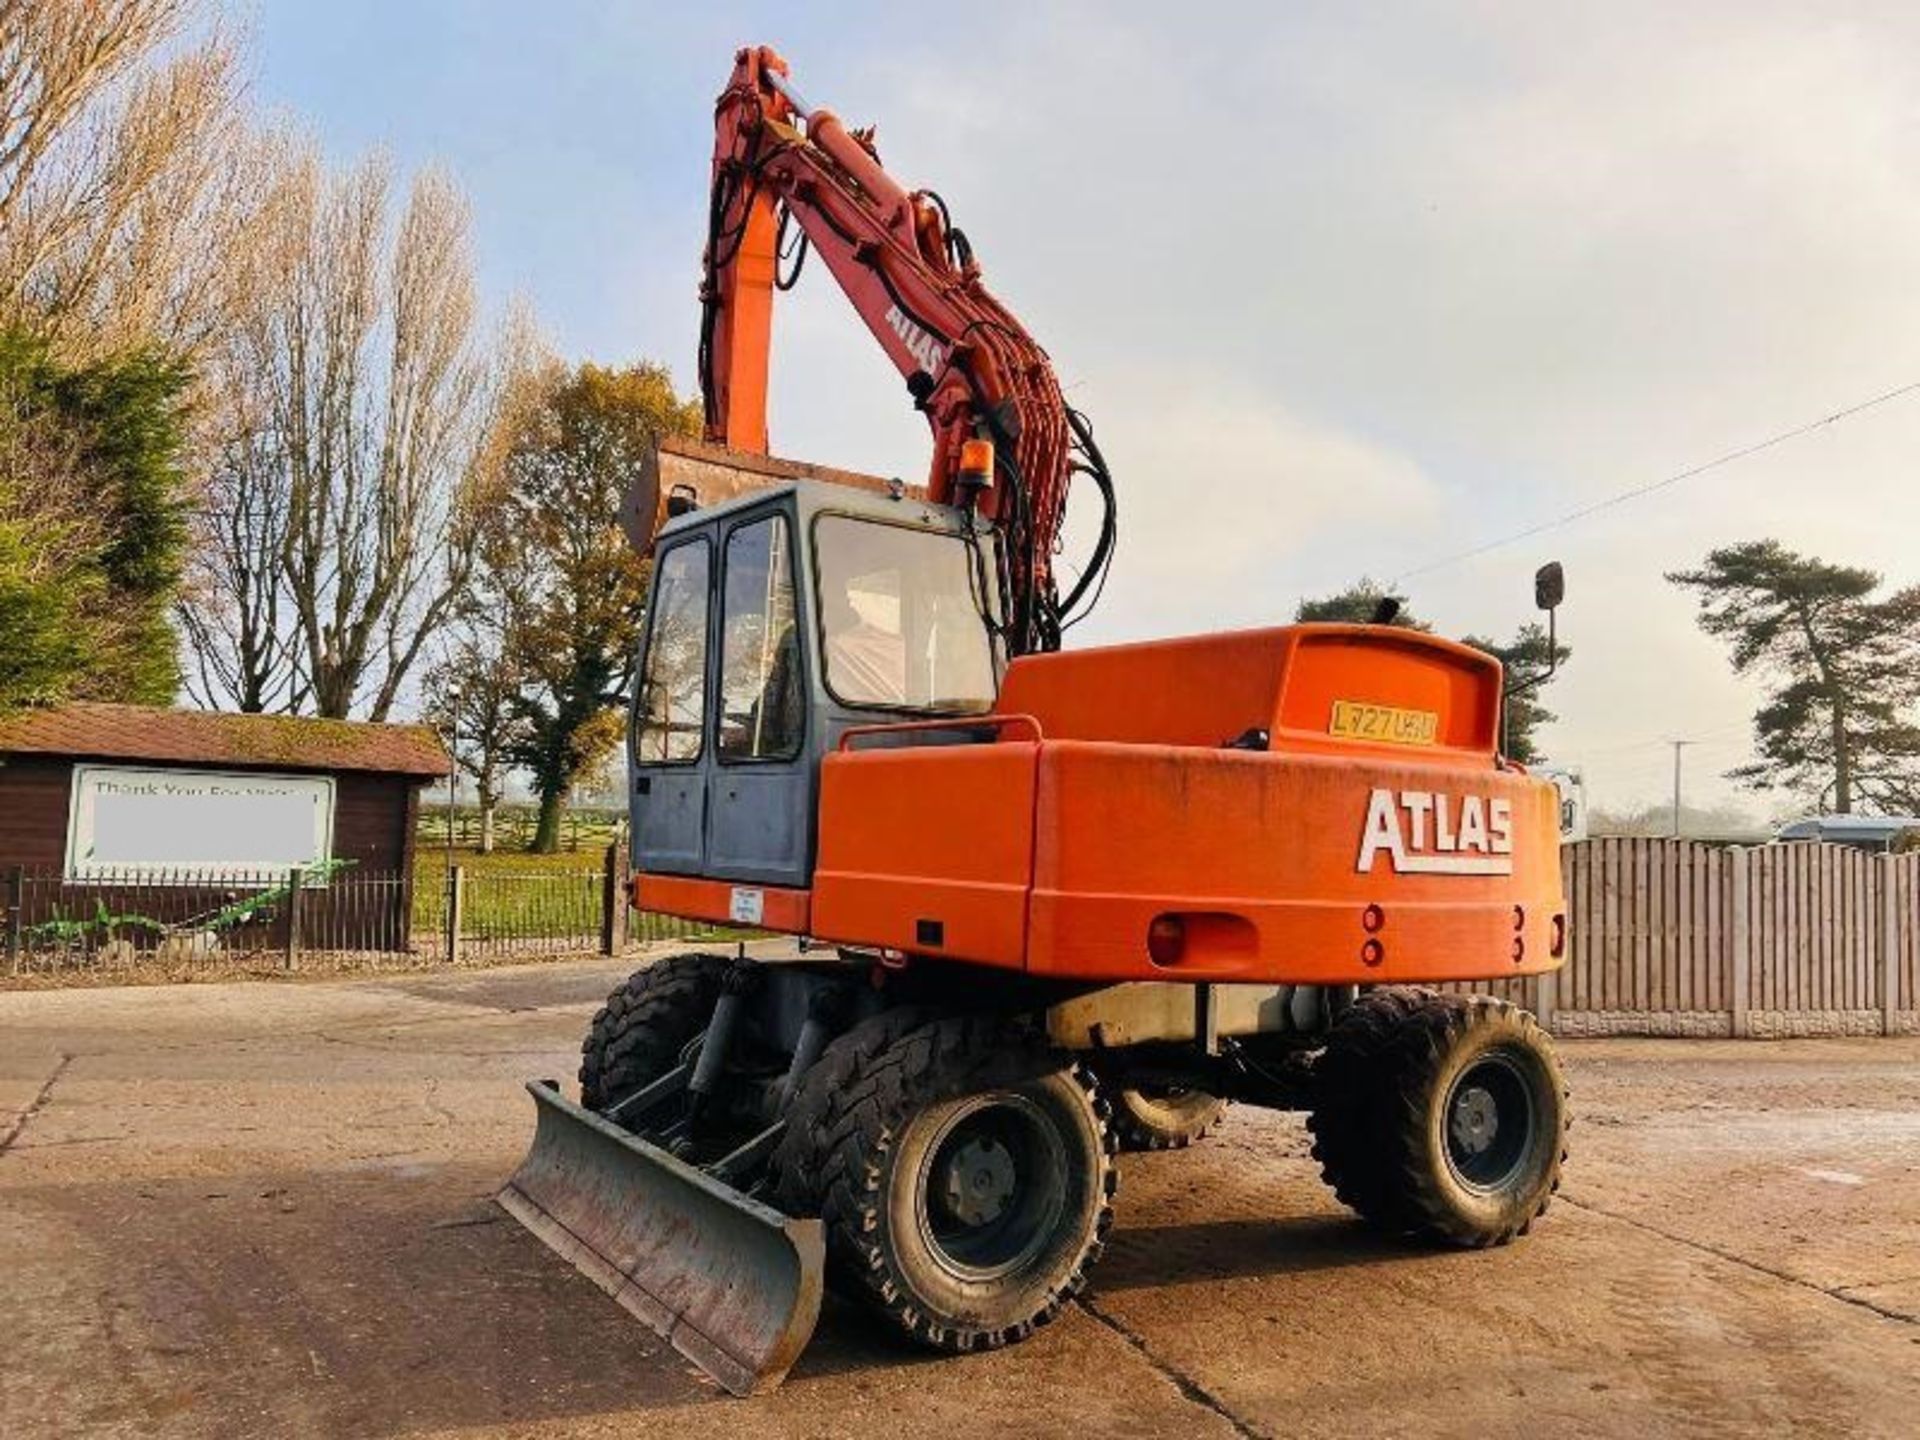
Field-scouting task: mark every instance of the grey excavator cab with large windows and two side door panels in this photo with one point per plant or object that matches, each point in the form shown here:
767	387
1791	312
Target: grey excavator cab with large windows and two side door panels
779	621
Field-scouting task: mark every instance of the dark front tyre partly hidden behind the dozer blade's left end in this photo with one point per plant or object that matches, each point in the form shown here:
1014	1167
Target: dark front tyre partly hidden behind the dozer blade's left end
646	1024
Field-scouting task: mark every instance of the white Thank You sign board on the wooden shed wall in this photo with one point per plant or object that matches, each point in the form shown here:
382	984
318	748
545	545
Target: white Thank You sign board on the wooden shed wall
195	825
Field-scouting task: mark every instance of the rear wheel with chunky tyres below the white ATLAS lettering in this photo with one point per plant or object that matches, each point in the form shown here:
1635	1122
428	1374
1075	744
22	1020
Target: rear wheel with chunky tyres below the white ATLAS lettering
1441	1116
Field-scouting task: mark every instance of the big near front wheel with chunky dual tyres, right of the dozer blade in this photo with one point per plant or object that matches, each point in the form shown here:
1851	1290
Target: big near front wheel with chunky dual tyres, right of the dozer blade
965	1174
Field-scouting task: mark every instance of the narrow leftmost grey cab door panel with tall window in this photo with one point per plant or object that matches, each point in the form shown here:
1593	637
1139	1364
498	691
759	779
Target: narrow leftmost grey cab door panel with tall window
669	736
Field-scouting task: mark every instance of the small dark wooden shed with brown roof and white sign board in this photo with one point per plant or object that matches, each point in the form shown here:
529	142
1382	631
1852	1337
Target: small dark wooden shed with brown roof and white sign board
178	815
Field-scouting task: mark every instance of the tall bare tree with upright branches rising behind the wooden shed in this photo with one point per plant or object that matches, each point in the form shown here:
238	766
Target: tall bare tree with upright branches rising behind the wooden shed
360	391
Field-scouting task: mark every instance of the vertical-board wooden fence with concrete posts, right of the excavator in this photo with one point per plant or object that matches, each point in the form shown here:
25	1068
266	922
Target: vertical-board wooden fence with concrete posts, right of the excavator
1673	938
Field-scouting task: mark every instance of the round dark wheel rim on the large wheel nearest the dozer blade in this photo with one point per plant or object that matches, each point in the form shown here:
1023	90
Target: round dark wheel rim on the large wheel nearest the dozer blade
992	1188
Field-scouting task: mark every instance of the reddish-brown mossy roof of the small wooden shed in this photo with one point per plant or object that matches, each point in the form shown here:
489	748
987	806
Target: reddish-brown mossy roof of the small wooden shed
258	742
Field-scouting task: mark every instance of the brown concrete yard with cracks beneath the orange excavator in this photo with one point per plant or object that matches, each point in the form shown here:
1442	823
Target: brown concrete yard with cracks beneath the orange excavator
241	1211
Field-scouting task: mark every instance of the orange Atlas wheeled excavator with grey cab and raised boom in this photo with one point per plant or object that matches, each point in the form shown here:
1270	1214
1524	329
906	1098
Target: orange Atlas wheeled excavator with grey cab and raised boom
1042	905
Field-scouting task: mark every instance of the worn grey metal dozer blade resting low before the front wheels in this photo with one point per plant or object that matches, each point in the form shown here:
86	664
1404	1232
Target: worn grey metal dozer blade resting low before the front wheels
734	1285
